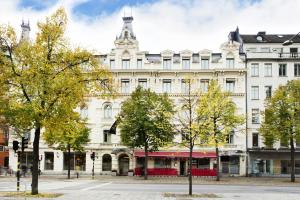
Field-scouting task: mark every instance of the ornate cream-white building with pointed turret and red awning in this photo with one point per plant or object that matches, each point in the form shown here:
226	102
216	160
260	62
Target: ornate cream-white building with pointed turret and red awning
162	72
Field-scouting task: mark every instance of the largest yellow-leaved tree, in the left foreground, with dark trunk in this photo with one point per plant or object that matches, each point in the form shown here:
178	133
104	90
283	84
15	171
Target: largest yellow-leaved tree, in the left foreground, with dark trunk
43	76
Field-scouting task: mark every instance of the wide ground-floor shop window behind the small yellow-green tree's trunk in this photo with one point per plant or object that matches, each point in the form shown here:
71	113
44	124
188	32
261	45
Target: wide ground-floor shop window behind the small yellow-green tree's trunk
77	161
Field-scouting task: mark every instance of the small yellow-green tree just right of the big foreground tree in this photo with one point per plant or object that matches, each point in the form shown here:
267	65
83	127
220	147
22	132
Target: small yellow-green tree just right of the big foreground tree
71	133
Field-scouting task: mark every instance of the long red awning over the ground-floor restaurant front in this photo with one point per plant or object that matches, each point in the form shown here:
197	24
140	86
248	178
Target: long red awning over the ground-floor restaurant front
177	154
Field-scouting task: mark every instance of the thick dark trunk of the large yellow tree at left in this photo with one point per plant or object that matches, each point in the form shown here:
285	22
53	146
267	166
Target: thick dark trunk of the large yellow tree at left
35	163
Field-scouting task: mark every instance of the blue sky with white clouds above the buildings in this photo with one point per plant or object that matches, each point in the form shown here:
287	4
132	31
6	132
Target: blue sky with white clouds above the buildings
158	24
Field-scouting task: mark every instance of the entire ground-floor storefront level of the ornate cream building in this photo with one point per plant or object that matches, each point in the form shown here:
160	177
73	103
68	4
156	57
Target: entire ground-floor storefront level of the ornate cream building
121	161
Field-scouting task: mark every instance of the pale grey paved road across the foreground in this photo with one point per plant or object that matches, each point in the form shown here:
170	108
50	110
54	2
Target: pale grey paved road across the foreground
94	189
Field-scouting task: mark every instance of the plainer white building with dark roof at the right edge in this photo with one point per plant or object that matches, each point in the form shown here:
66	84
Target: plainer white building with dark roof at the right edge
269	64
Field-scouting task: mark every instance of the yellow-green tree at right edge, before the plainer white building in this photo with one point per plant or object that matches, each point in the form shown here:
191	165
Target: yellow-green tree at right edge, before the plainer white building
282	119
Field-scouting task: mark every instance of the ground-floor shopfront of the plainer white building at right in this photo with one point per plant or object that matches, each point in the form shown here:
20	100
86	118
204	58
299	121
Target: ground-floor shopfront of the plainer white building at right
273	162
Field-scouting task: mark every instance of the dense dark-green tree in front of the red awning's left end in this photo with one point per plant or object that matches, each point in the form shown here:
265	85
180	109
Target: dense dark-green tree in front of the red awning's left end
145	121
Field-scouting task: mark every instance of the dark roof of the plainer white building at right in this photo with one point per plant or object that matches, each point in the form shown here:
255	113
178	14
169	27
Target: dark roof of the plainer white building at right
262	37
